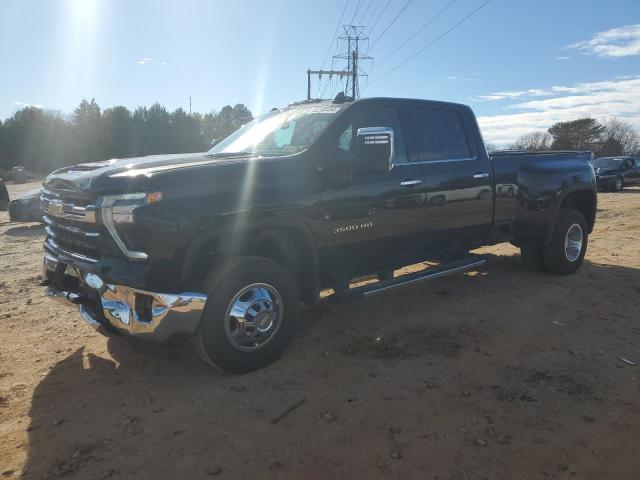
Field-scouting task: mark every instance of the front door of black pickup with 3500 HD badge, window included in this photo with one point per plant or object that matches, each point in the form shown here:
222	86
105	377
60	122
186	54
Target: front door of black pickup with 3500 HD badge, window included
374	221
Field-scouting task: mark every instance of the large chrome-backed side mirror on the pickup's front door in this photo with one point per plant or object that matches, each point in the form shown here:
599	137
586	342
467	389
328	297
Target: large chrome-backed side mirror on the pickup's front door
374	150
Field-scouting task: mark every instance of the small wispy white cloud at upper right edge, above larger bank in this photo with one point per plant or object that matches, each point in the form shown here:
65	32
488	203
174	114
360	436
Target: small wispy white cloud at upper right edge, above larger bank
617	42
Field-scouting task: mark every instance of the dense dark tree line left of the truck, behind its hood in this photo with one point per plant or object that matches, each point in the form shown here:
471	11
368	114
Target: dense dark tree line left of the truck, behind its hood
42	141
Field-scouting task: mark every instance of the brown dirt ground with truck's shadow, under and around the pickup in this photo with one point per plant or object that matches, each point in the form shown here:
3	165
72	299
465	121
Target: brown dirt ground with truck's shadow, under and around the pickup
505	374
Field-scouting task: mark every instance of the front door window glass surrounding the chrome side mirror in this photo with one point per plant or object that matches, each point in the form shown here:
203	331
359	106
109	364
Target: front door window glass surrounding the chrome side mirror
376	117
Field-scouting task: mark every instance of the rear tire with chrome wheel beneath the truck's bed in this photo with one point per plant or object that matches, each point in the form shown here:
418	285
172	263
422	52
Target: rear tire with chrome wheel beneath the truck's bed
563	256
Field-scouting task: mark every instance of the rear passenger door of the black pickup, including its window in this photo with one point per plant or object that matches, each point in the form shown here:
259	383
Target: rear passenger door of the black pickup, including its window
456	173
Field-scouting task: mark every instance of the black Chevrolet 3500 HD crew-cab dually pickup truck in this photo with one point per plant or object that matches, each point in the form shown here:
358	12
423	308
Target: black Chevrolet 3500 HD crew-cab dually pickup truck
224	246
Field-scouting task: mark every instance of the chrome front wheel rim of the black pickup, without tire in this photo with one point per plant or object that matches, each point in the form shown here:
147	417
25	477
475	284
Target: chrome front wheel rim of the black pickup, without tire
253	317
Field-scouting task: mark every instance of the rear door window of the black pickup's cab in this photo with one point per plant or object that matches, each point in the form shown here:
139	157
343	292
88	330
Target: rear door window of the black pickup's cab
437	134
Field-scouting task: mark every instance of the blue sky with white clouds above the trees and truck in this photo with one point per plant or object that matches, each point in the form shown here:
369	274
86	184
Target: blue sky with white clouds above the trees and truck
522	65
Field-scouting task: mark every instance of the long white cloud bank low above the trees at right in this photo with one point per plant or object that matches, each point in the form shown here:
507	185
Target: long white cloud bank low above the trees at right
537	109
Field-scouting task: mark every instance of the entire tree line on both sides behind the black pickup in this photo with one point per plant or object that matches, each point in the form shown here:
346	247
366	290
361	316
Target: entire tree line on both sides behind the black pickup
42	140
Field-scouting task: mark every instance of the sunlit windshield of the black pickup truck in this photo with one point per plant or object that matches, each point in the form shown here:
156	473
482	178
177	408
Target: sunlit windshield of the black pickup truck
279	132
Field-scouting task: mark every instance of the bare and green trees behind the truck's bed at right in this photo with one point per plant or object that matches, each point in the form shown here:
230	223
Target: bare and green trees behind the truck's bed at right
613	137
